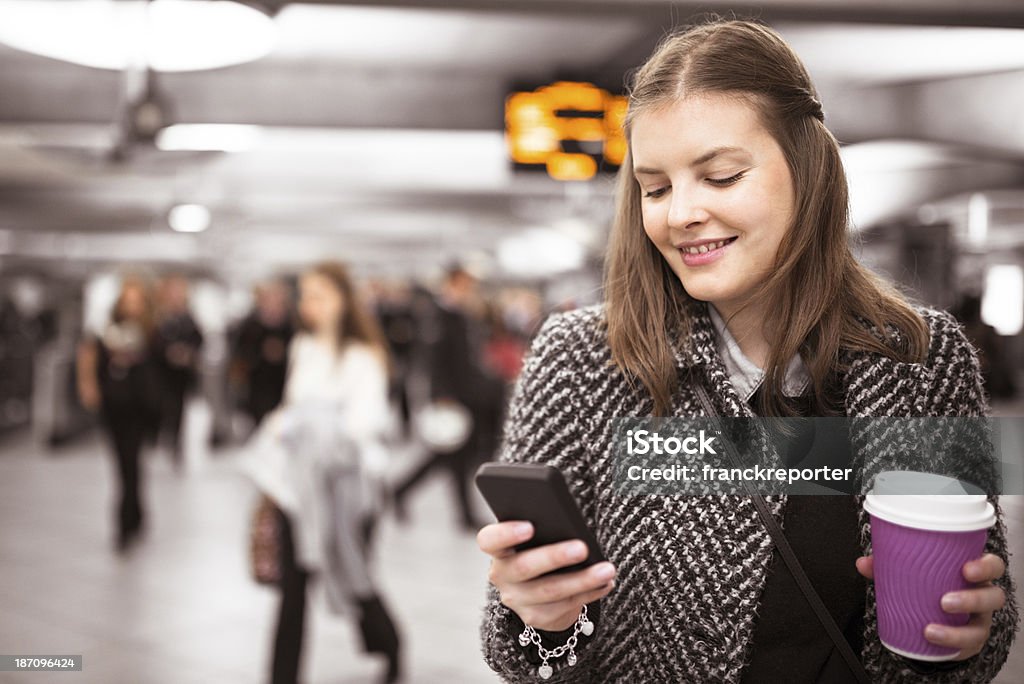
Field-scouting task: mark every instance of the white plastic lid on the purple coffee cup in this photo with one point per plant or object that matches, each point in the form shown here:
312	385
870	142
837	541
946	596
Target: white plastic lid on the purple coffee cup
927	501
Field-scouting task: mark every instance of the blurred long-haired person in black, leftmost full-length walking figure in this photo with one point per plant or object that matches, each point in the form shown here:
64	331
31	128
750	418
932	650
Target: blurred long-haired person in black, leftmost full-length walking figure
118	376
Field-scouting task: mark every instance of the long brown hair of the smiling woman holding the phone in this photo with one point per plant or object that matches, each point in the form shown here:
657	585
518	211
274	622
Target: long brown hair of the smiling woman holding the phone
823	300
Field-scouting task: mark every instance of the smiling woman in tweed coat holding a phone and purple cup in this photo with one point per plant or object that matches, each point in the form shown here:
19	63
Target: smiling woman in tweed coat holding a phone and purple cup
729	275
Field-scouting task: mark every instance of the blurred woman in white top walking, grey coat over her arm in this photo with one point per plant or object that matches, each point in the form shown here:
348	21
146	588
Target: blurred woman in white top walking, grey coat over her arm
331	423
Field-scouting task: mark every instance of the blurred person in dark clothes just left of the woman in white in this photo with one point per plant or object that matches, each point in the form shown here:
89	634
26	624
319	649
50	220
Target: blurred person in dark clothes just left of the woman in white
261	351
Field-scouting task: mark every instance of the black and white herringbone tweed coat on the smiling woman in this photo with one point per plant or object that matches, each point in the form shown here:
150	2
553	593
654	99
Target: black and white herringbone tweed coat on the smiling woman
692	570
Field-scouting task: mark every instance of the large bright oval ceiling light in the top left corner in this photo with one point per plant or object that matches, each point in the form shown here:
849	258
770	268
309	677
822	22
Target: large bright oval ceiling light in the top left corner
164	35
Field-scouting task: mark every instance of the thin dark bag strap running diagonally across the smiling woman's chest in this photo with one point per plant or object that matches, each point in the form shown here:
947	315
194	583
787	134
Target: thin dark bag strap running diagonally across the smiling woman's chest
790	558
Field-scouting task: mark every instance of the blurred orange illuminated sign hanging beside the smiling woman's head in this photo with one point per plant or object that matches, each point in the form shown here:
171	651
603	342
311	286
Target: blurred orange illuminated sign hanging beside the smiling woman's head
567	127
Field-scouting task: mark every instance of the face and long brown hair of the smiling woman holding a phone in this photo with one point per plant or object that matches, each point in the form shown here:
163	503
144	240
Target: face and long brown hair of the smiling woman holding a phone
728	141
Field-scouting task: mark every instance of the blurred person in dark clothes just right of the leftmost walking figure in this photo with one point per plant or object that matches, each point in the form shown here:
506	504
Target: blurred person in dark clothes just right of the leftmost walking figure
179	343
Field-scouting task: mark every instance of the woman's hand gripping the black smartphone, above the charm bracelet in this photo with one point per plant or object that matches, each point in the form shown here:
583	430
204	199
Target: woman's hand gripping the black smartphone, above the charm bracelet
550	604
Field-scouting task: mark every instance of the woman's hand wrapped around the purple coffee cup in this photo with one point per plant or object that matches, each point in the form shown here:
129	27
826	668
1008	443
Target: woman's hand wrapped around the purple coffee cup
982	602
